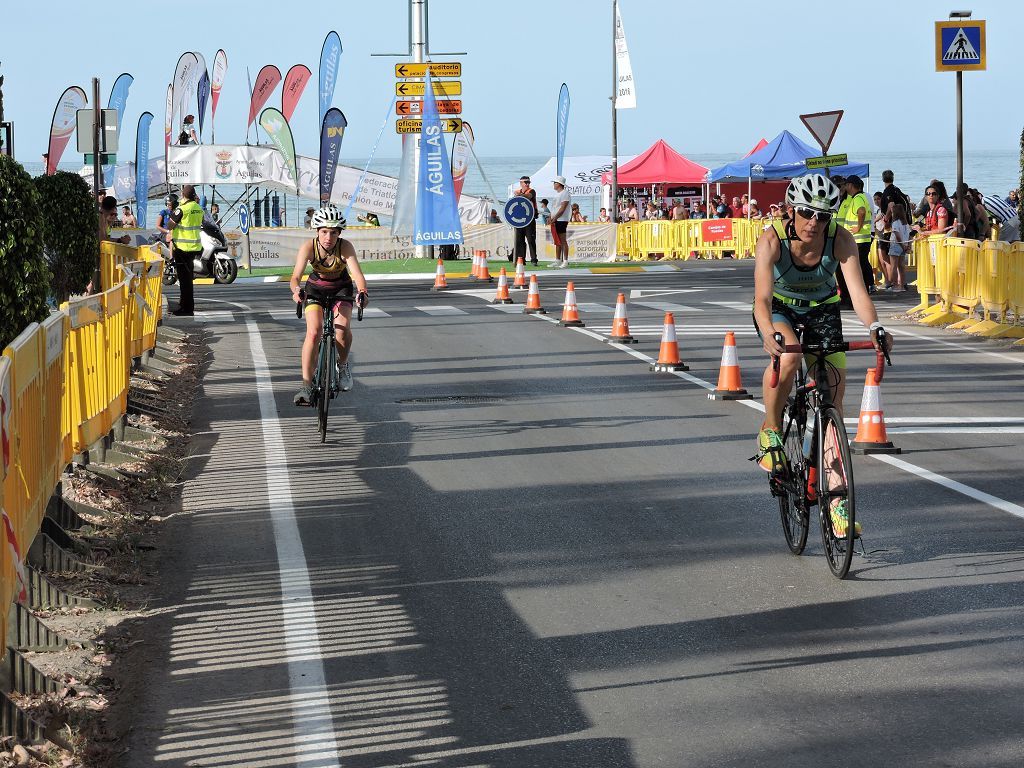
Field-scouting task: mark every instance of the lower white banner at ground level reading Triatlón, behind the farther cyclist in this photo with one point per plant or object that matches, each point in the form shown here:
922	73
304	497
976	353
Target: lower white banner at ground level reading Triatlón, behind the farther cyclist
278	247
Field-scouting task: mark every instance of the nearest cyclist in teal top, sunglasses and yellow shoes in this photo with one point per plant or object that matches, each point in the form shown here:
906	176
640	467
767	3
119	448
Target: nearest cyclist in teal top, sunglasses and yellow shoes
795	283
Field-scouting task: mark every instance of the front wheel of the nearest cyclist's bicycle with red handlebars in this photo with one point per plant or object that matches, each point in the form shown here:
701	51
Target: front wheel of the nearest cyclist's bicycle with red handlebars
836	491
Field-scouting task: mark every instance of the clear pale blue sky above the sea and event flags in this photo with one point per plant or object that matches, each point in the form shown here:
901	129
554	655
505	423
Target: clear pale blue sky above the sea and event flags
712	77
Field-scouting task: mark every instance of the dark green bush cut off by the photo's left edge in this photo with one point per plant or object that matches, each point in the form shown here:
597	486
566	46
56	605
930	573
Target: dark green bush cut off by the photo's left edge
24	276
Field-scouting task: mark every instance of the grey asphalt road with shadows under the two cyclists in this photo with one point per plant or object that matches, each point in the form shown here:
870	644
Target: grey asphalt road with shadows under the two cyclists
520	547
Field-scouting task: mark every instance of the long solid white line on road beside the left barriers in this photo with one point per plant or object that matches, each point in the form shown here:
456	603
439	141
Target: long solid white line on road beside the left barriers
308	681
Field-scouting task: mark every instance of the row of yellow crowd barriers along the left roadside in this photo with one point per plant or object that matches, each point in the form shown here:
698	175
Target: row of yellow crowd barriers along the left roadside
64	385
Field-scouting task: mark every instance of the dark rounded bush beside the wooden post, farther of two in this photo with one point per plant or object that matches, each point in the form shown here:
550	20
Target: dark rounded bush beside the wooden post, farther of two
70	224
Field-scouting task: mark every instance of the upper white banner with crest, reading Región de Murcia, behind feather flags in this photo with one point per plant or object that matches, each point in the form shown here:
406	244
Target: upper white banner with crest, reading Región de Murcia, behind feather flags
240	164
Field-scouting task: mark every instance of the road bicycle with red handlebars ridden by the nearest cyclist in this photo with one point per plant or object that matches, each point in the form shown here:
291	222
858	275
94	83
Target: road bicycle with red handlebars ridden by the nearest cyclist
817	468
